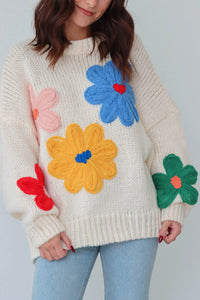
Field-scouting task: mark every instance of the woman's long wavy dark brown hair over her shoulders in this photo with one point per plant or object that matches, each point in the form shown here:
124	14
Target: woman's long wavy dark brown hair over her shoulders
115	29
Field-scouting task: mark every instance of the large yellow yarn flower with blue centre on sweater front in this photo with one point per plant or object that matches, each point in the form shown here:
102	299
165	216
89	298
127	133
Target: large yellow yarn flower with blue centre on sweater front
83	158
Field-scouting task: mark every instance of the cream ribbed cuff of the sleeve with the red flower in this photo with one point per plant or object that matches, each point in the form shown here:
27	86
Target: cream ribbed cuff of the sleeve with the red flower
46	227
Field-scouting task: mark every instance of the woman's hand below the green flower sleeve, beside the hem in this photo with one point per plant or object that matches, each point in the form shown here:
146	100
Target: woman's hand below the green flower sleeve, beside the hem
170	230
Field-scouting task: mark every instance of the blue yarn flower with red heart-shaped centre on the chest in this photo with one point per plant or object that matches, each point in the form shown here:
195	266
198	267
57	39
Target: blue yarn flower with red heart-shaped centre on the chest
117	99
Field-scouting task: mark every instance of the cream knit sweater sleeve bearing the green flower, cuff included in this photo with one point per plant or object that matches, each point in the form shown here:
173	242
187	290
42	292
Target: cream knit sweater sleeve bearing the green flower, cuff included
170	165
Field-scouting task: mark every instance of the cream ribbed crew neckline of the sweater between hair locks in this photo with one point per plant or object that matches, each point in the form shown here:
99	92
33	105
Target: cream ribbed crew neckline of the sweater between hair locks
83	46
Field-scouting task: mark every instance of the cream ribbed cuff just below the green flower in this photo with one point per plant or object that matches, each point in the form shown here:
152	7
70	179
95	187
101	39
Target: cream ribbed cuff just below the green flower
175	212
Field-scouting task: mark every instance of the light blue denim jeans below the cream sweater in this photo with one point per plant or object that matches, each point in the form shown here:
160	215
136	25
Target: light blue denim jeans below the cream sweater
127	267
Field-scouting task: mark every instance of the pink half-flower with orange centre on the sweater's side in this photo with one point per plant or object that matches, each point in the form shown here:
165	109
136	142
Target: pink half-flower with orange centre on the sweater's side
41	104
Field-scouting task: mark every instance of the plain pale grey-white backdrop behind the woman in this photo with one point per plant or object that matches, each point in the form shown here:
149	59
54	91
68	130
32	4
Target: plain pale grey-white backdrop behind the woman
170	31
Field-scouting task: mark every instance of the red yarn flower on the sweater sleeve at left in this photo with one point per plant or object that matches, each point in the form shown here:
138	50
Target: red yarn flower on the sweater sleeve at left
32	186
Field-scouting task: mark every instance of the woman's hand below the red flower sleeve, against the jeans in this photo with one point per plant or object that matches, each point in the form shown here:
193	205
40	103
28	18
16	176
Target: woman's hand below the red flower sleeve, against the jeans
53	249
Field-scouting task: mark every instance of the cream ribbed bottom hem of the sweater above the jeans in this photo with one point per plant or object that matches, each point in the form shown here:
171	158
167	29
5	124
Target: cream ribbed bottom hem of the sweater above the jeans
100	230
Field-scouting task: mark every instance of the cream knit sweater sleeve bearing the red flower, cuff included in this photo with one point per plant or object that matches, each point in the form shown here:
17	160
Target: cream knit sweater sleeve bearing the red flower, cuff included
22	180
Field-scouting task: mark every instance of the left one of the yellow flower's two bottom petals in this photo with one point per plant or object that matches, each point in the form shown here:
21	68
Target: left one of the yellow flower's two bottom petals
74	179
